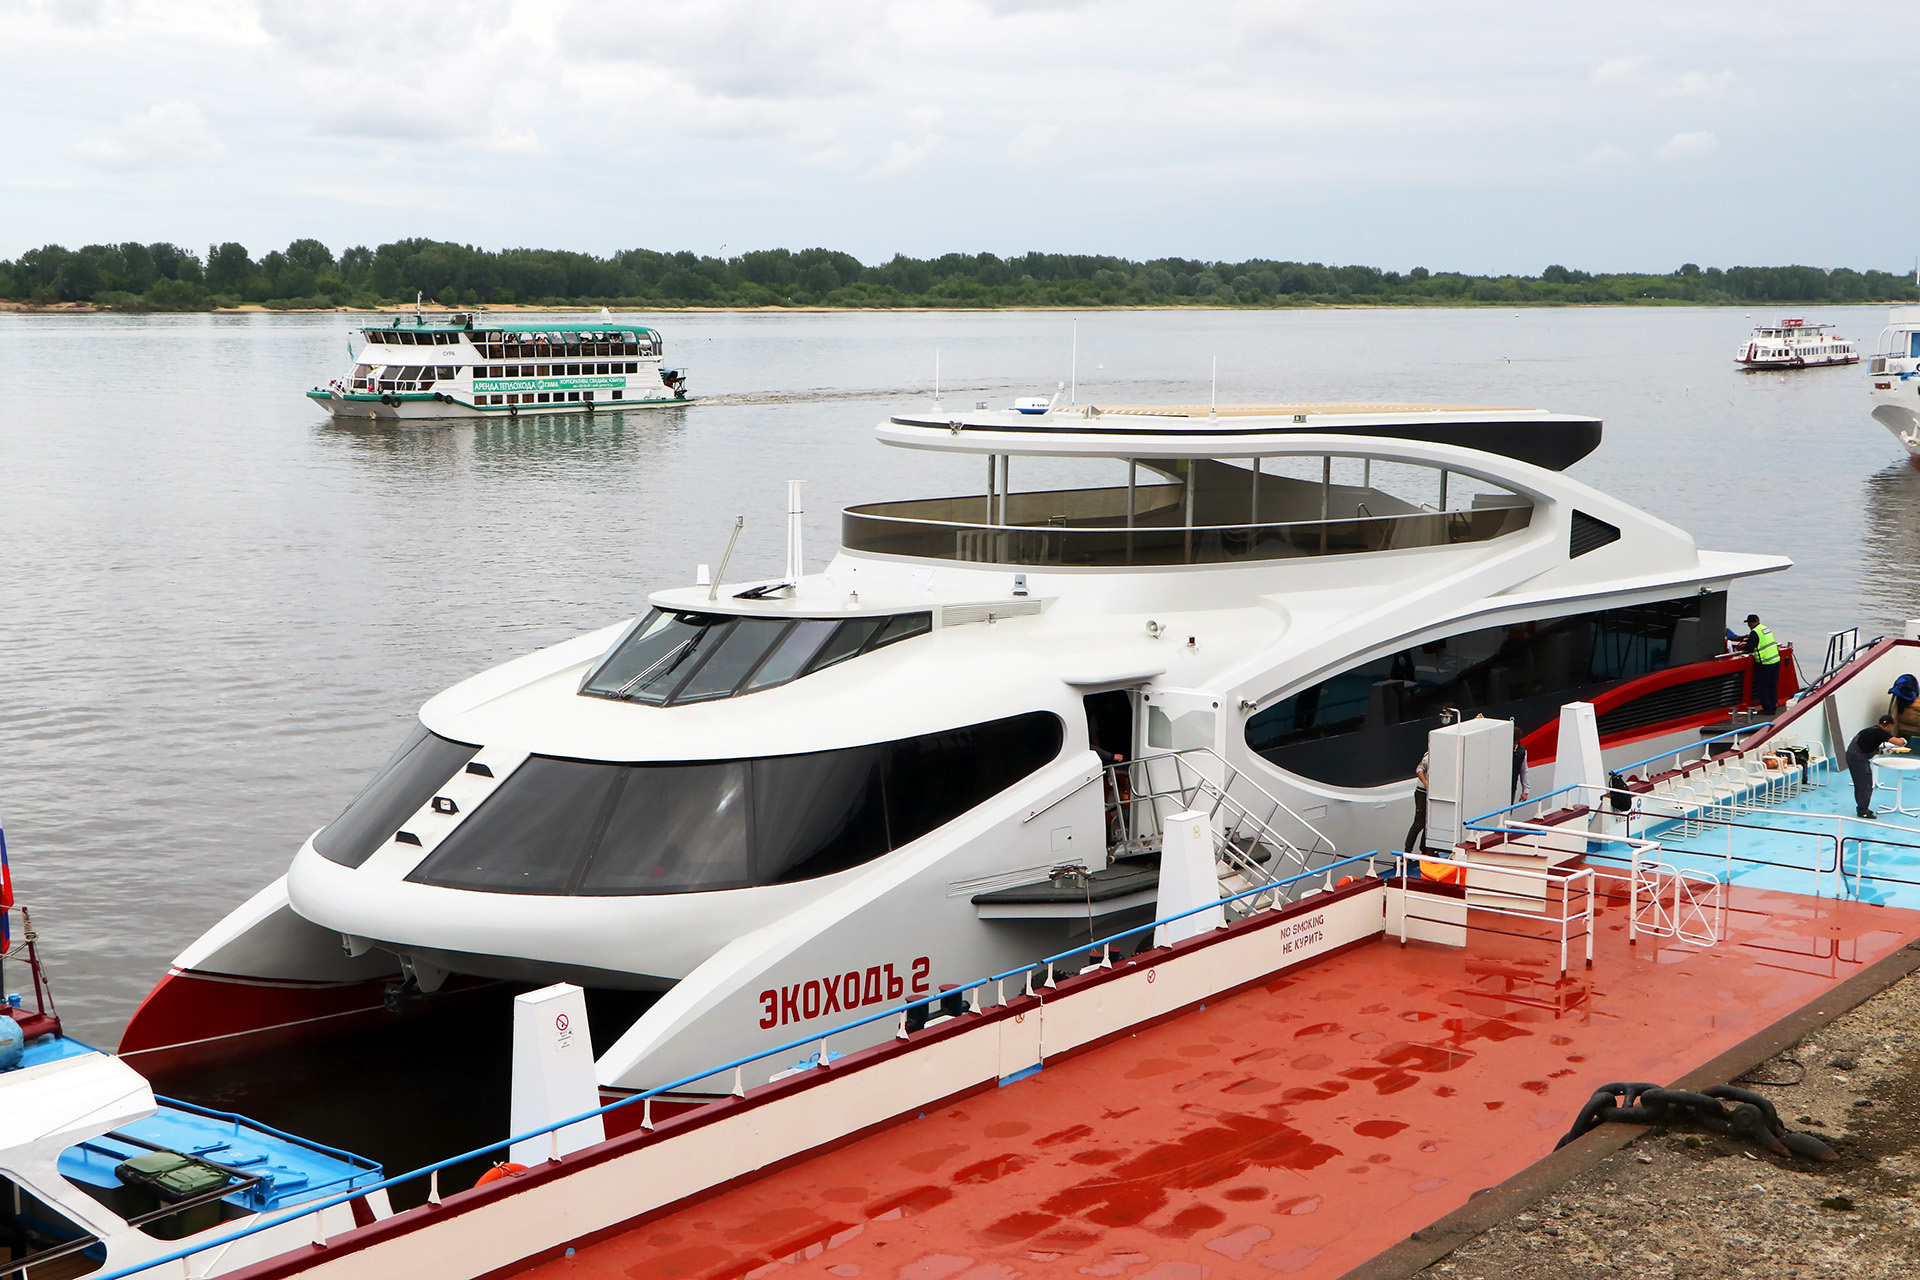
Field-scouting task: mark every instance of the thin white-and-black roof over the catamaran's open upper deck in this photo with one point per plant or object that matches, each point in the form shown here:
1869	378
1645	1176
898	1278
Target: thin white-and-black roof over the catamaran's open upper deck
1552	440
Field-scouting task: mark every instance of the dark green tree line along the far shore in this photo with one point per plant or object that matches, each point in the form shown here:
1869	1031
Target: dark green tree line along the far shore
308	275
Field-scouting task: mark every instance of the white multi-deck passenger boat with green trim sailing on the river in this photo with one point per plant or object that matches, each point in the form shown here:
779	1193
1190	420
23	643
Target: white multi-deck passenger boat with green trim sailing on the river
479	366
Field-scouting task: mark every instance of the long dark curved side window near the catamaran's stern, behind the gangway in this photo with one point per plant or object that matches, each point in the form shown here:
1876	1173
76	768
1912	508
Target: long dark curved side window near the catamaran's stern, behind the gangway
1368	726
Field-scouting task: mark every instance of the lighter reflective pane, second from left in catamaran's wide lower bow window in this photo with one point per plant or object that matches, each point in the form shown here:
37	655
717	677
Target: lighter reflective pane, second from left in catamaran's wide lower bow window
675	828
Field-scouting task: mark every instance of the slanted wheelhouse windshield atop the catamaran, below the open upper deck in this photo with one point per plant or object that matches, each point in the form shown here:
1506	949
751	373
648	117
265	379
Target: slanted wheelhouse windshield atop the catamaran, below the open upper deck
675	657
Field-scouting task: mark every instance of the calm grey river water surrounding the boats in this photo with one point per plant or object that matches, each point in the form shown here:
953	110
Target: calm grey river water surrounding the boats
220	609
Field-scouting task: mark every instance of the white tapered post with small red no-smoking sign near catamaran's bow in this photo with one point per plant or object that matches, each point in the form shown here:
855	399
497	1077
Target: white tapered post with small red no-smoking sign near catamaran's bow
552	1074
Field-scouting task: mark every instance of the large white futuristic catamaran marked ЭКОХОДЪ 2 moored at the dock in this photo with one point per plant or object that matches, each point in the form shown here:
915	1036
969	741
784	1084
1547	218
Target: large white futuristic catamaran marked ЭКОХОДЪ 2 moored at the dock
788	801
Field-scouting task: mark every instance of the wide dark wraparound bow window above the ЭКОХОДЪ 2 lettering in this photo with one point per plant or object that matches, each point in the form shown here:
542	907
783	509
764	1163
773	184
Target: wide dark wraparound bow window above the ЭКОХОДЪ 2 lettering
619	830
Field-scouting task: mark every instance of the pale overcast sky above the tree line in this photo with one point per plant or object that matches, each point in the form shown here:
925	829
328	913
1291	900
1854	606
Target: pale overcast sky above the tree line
1466	135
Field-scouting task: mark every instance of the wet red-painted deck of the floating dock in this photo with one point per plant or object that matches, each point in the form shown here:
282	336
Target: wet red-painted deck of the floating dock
1299	1127
